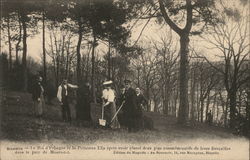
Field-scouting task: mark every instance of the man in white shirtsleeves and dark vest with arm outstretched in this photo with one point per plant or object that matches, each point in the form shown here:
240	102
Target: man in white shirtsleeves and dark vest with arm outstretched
62	95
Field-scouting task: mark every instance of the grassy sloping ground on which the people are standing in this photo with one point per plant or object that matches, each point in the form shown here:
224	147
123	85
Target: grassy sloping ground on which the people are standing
19	124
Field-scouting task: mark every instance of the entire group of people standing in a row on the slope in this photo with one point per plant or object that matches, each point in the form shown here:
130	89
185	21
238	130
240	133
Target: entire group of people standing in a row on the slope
130	102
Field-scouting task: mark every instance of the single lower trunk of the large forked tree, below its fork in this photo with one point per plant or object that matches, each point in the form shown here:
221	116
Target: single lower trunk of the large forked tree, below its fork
183	108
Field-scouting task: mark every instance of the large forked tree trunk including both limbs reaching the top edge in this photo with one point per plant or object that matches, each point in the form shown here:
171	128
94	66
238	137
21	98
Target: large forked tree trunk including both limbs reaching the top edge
184	43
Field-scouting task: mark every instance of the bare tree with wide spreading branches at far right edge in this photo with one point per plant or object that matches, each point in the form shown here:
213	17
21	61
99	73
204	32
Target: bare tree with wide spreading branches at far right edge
233	43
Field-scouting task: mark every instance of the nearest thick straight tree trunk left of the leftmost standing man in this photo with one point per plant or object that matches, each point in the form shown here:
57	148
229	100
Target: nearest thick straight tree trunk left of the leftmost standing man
24	61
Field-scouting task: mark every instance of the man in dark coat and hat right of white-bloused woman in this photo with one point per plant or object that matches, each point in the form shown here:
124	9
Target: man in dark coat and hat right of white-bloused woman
130	107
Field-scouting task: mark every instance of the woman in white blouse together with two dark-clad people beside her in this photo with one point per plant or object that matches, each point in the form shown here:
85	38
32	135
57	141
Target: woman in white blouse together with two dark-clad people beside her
130	102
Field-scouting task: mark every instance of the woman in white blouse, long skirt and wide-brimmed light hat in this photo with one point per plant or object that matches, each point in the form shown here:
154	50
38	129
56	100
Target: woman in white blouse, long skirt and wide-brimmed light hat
108	96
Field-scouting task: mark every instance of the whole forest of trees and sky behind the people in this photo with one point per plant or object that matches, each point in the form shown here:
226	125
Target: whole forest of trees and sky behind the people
94	40
